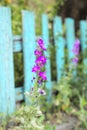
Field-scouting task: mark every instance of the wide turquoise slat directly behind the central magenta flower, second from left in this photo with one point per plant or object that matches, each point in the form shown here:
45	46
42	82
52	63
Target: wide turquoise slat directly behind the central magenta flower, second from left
28	21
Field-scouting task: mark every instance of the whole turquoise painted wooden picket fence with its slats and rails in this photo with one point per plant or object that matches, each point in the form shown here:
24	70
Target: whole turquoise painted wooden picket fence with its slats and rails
26	44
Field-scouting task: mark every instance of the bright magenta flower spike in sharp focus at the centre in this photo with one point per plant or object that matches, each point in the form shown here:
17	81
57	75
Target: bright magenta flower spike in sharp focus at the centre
40	62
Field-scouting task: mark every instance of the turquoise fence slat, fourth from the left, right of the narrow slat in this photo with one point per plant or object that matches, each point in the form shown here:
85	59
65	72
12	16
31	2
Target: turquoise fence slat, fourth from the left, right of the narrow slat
60	43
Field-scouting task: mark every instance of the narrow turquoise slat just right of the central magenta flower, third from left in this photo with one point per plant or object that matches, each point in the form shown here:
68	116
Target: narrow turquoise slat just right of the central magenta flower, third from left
45	35
